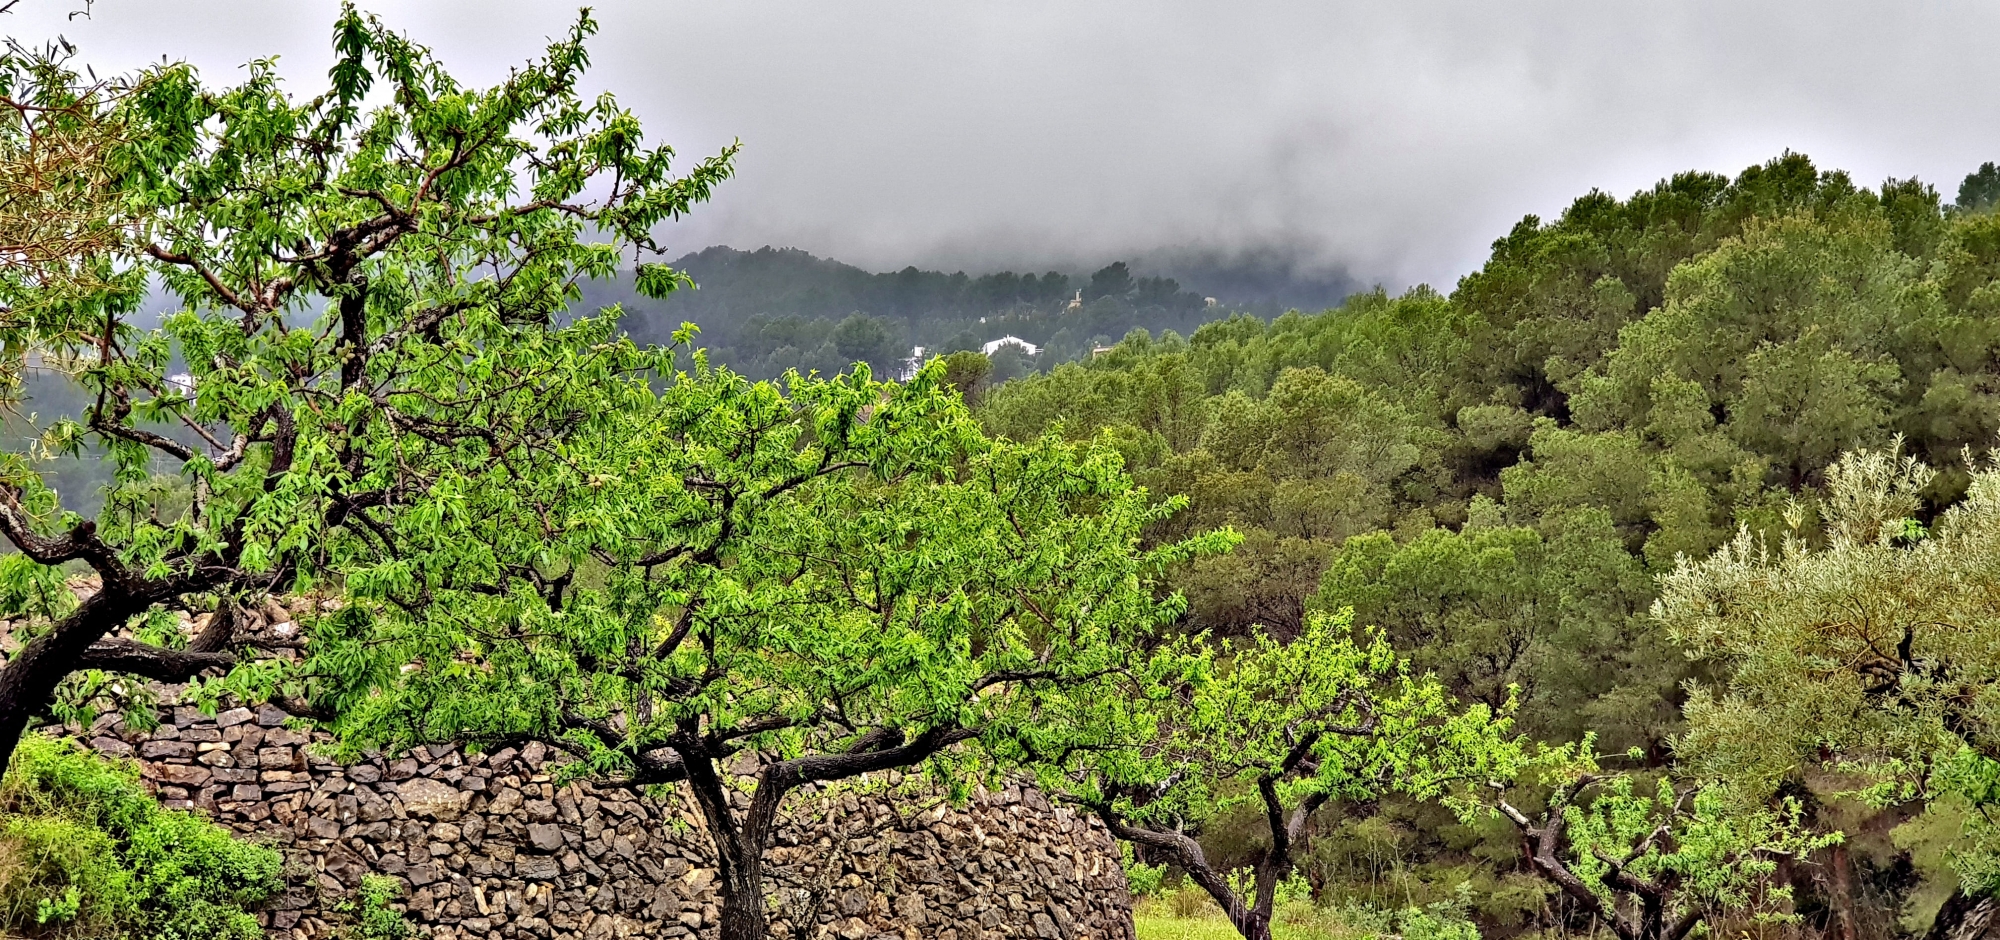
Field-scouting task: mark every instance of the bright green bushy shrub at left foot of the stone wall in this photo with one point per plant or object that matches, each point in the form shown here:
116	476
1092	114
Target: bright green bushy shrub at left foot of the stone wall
85	851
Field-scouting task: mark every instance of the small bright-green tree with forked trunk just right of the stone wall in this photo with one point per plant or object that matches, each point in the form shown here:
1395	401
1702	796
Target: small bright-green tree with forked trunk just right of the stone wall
1291	729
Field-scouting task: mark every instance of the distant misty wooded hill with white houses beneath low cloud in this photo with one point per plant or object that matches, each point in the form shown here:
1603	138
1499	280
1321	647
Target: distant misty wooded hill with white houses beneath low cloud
775	309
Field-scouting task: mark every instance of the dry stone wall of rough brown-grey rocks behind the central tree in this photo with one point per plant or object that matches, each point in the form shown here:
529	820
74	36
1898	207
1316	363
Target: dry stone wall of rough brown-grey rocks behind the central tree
487	847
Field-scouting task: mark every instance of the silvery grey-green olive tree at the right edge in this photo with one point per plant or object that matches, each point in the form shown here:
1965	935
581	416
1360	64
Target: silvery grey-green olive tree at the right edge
1863	645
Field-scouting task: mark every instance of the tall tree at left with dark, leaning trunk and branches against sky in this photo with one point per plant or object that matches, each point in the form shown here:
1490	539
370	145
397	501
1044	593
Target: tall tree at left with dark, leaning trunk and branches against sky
373	291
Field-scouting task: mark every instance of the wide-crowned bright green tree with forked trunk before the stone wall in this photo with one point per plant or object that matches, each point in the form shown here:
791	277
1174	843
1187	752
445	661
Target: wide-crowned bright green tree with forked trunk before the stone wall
751	589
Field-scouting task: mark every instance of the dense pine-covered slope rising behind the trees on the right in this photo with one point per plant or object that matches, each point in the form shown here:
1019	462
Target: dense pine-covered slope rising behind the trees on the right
1499	475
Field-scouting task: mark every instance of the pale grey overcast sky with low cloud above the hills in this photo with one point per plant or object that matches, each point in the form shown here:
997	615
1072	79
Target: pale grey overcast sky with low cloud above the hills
1393	139
